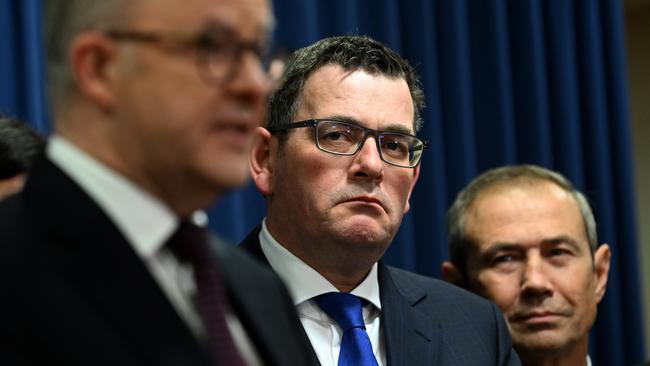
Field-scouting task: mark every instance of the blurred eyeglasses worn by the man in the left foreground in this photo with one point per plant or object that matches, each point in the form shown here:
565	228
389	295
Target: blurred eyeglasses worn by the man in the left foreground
218	52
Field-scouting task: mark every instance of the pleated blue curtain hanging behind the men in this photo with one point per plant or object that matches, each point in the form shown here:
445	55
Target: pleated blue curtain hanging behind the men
521	81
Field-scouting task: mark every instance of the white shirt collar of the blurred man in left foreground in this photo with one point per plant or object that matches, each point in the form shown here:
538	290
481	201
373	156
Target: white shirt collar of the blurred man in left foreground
143	219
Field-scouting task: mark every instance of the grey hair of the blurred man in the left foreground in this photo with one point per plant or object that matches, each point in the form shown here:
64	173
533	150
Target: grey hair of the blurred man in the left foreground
63	20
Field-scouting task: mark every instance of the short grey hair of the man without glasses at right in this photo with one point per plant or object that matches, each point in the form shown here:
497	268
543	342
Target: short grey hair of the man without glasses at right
460	242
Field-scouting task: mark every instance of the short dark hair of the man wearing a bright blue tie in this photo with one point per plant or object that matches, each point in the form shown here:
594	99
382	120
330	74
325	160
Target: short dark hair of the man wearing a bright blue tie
351	53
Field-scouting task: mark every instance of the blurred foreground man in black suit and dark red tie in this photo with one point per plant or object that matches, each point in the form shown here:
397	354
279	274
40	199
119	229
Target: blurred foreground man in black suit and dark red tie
103	258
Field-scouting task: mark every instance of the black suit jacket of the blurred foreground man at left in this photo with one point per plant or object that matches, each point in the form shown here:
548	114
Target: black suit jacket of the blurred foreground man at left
73	291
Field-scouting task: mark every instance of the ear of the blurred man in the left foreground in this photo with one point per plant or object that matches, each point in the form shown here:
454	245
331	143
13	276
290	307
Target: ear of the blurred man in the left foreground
93	58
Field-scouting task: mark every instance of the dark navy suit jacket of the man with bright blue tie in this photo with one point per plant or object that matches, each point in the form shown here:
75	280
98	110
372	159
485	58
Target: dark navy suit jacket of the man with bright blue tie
429	322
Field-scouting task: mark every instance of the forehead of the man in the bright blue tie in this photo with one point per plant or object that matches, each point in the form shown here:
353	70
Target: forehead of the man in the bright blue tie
374	100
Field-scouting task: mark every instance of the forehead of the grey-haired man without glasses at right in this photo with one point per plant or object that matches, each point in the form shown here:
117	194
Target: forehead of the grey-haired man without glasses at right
526	214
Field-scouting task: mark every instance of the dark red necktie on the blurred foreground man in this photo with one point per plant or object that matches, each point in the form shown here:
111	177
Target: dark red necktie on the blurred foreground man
190	244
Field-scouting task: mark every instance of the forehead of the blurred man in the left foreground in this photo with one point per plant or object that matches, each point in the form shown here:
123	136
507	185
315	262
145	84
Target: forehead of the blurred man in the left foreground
247	18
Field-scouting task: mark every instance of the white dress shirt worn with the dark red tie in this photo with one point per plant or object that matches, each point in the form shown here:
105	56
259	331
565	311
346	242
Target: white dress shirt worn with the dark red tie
147	224
